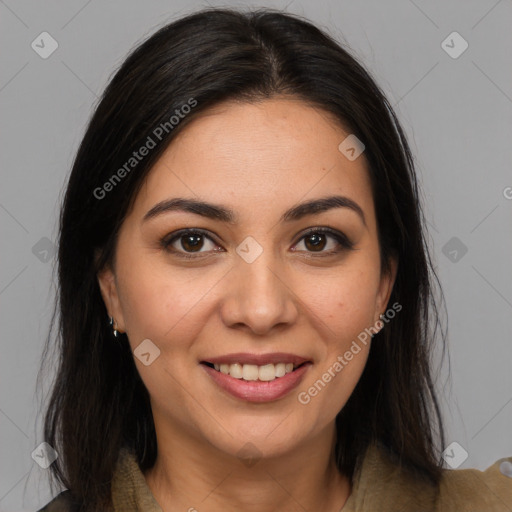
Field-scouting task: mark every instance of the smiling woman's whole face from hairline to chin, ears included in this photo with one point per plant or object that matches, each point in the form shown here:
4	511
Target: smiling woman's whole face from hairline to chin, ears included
253	292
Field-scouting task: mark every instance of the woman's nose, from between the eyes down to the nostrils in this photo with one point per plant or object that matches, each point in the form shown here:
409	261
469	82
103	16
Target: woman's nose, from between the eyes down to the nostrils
258	298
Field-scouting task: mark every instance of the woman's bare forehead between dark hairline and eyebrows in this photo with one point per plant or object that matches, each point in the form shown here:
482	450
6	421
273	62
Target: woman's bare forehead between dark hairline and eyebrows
258	156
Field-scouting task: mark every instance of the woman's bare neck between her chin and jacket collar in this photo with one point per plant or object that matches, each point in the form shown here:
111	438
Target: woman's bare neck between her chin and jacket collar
191	475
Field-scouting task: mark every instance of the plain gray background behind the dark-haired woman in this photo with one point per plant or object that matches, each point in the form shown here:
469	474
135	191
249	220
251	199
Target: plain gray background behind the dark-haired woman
457	113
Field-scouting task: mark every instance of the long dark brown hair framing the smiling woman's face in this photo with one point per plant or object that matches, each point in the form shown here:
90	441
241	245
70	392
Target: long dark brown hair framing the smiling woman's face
98	402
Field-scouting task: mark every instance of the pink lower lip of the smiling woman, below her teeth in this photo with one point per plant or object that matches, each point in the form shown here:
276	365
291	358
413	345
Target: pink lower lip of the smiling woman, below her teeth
255	390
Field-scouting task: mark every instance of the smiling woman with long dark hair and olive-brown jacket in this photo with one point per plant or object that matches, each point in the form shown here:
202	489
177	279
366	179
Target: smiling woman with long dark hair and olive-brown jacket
246	301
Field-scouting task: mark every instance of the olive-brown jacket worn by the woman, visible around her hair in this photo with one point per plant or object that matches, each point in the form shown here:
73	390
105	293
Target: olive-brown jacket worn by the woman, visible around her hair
378	486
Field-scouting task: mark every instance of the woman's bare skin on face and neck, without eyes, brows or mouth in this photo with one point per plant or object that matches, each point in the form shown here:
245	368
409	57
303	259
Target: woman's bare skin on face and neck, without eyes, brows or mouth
259	160
